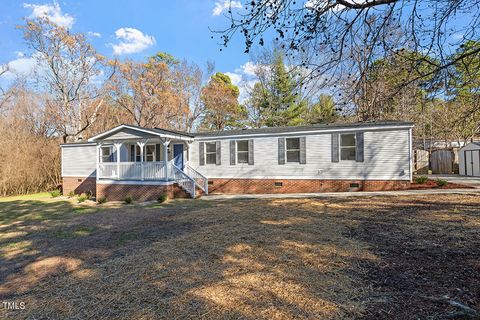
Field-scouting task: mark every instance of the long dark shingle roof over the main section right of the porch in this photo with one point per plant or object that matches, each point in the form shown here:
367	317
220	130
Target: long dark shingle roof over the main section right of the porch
319	127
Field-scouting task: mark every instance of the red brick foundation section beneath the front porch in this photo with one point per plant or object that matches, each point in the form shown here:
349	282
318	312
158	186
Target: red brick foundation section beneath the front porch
118	192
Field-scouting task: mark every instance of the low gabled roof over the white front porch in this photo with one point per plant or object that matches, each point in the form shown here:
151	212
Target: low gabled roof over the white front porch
156	132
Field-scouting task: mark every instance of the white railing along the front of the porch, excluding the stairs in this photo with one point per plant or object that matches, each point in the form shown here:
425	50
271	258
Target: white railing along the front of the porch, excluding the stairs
132	170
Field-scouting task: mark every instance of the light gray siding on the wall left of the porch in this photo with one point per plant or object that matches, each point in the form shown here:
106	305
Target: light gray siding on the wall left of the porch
79	161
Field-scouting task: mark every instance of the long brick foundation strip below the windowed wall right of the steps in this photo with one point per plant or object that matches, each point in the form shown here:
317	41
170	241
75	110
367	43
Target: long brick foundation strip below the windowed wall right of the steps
240	186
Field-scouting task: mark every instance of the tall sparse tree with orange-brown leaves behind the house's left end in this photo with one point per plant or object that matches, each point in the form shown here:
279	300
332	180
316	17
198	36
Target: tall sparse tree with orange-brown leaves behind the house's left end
68	70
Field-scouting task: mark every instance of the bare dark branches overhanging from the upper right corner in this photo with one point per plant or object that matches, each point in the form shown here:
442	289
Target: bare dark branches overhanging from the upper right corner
326	33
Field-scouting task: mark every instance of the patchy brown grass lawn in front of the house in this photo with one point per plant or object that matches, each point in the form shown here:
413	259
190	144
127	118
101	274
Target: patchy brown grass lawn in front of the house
362	257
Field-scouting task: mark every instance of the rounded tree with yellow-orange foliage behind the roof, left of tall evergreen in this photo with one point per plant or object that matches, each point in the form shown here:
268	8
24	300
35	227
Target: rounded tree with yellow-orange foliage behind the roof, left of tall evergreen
220	98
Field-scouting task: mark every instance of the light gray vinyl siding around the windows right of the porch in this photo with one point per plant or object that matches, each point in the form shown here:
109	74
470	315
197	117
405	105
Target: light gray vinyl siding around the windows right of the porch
386	157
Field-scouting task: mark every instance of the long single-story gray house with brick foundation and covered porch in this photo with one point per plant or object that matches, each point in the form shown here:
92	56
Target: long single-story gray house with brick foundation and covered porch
144	162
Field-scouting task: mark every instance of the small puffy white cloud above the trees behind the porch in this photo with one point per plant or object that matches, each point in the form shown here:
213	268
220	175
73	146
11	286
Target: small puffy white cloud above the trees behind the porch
131	41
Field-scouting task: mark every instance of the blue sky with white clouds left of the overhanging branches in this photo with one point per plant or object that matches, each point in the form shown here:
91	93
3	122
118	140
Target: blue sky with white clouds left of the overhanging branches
131	29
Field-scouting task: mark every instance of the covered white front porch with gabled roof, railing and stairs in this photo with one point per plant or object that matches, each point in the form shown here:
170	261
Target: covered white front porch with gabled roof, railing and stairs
133	155
